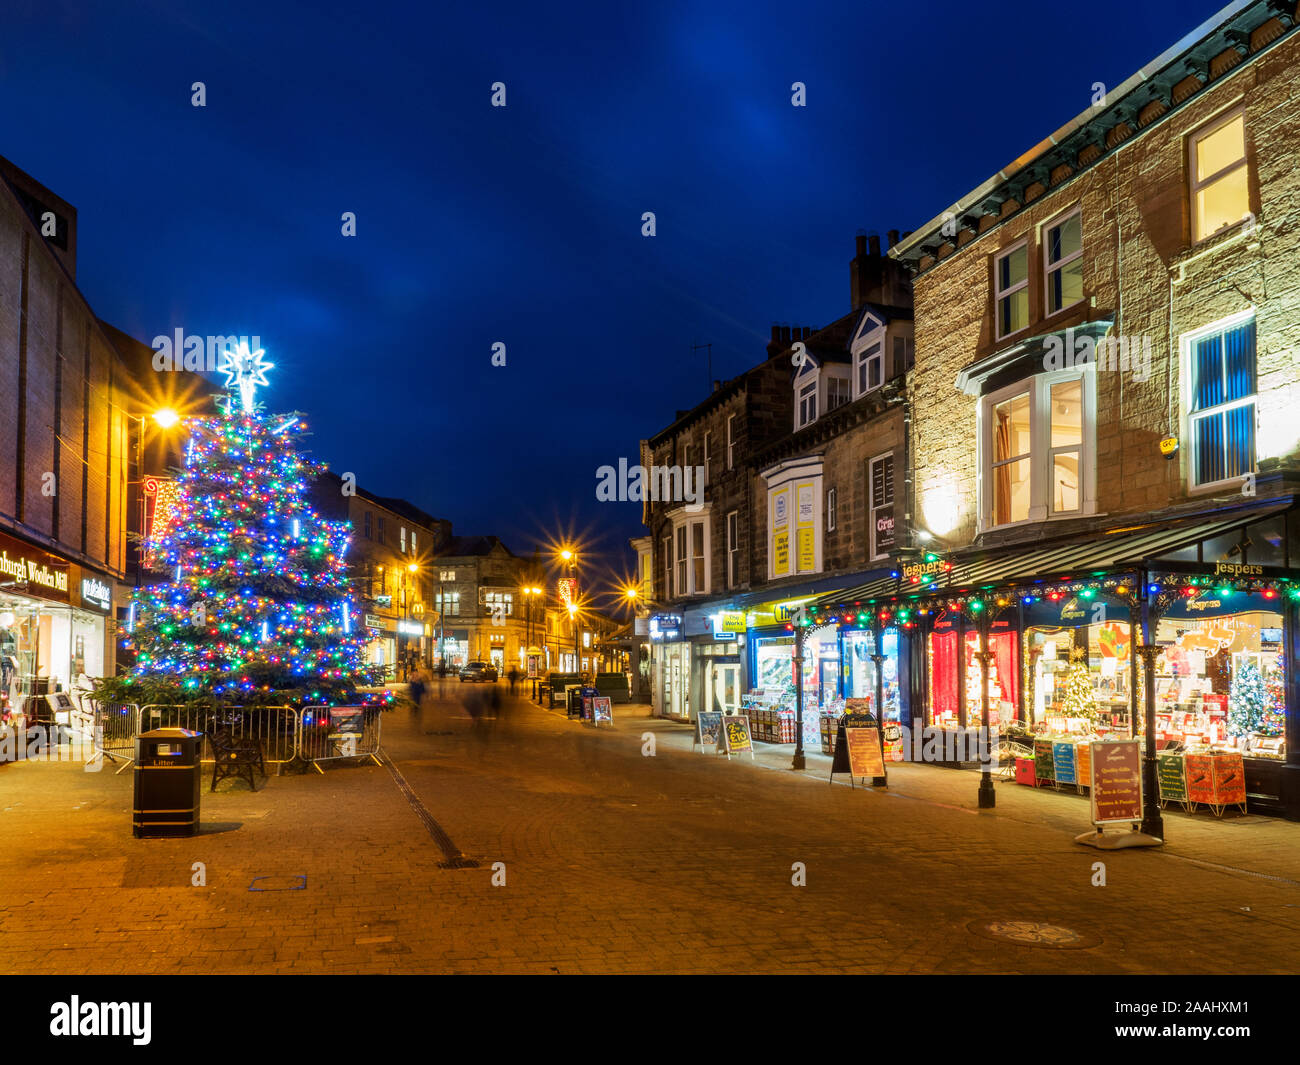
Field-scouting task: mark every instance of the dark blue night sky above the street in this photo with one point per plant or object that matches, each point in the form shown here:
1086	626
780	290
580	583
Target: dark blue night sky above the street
522	226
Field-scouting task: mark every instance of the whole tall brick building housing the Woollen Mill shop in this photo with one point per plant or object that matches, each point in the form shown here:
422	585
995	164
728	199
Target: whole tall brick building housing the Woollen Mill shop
75	404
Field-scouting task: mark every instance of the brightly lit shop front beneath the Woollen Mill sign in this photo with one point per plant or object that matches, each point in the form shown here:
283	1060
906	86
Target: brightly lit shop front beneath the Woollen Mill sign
54	626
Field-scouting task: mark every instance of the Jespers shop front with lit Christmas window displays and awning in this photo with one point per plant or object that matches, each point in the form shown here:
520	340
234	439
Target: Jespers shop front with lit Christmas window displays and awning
1063	624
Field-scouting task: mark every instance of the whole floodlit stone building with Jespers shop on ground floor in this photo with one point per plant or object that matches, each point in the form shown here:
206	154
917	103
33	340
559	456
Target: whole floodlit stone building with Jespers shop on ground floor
1103	436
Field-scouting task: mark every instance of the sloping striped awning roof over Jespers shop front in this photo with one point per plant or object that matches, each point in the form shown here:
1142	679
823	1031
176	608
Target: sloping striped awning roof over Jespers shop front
1180	546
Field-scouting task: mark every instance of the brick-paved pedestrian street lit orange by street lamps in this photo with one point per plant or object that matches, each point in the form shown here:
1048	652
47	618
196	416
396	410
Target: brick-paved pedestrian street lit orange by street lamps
613	861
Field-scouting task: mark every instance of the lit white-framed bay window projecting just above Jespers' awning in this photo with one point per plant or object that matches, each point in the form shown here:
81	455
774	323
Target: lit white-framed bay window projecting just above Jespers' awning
1037	449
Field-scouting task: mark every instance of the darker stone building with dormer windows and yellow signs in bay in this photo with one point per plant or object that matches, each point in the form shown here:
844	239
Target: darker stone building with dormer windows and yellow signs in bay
799	501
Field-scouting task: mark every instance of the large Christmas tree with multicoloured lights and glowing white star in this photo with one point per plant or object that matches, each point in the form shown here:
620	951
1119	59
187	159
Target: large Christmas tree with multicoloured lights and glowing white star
259	599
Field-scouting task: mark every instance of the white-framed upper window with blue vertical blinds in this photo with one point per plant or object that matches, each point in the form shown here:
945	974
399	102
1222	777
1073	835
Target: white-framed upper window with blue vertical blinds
1220	399
